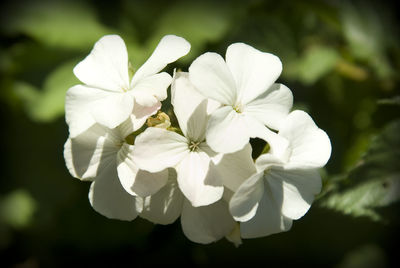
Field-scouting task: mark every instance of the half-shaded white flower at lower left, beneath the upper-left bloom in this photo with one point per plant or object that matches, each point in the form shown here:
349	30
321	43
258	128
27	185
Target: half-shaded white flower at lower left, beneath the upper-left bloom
103	156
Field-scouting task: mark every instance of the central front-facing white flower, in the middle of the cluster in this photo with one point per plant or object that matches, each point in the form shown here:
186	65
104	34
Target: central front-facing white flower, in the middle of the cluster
201	173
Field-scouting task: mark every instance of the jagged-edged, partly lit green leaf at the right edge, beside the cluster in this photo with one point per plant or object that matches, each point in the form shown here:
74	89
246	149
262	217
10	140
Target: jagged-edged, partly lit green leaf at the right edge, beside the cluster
374	182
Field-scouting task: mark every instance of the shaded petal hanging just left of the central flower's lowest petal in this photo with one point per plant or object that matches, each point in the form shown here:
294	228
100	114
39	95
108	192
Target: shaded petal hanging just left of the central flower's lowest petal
165	206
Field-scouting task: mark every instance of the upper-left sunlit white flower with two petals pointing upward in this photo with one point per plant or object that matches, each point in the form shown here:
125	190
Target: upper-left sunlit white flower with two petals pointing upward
108	97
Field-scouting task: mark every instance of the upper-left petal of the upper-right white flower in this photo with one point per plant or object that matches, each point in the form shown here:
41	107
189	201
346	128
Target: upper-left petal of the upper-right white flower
212	78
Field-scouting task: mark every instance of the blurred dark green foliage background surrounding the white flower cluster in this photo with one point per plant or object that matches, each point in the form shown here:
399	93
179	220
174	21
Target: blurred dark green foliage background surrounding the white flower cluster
341	59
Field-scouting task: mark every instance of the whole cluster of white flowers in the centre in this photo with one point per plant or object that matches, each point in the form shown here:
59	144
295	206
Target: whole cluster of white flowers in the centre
202	170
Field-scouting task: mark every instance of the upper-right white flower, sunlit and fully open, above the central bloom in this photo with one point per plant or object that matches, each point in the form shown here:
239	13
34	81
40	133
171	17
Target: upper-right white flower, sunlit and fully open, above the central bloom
244	85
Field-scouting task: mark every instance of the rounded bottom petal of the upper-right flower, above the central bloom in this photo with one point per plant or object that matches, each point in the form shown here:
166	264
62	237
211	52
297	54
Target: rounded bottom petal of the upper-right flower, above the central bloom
227	131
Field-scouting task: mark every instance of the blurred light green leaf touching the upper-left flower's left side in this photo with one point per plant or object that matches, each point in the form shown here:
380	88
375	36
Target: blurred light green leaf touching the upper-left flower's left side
48	104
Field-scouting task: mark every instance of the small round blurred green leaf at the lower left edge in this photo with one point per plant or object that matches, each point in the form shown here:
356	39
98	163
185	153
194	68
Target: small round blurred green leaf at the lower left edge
17	208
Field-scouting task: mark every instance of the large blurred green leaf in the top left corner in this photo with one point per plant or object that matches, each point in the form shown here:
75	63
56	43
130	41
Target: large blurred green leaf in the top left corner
61	24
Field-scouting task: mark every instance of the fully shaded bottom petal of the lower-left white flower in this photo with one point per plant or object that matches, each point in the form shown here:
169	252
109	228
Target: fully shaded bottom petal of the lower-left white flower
108	197
